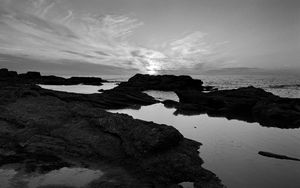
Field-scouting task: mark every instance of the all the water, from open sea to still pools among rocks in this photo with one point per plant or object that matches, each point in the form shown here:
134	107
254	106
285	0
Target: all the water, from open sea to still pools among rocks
230	147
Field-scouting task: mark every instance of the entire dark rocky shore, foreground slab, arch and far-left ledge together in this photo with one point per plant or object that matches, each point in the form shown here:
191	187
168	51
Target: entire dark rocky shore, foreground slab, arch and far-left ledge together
45	130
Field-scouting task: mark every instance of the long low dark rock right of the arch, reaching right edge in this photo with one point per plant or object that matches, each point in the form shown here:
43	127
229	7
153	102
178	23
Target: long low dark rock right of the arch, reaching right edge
249	104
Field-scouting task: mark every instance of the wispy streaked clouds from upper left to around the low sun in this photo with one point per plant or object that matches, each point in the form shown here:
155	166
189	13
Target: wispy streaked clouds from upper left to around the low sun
32	28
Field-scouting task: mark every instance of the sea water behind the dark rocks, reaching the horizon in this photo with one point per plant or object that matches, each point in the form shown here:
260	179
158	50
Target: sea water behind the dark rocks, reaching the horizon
281	85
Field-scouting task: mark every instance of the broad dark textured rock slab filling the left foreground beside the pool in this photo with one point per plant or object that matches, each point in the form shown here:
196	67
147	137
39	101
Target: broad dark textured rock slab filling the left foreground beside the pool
45	130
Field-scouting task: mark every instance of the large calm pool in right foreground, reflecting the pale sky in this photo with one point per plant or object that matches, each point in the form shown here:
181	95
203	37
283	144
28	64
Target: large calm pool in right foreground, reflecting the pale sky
230	147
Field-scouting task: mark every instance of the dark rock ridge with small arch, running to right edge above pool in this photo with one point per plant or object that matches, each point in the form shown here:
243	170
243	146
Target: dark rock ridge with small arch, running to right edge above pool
248	103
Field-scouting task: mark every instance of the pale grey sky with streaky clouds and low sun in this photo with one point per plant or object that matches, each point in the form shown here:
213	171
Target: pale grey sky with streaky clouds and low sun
151	36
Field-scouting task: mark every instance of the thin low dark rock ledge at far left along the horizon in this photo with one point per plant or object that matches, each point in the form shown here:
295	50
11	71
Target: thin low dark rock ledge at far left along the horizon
37	78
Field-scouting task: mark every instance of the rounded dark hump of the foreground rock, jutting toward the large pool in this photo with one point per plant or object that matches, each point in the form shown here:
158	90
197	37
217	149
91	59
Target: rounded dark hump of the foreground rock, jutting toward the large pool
146	137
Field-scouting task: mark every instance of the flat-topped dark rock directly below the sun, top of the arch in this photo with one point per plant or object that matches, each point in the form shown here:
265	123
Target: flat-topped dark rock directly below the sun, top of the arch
143	82
